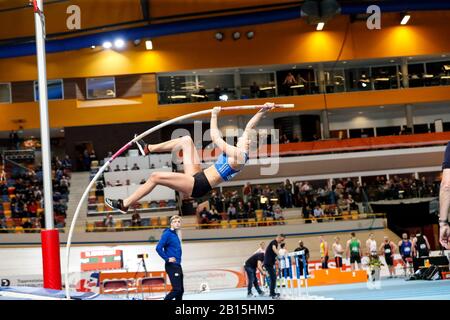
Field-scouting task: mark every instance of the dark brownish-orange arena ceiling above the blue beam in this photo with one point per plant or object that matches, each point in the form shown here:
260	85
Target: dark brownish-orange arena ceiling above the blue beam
17	22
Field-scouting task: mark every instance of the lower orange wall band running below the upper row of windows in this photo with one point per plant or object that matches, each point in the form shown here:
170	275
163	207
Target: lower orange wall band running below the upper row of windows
72	113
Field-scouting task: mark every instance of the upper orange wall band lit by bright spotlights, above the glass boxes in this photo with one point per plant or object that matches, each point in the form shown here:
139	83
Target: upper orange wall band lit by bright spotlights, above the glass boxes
276	43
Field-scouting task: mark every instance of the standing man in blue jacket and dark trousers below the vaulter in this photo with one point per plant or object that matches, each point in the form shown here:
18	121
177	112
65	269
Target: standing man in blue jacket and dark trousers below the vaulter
169	248
